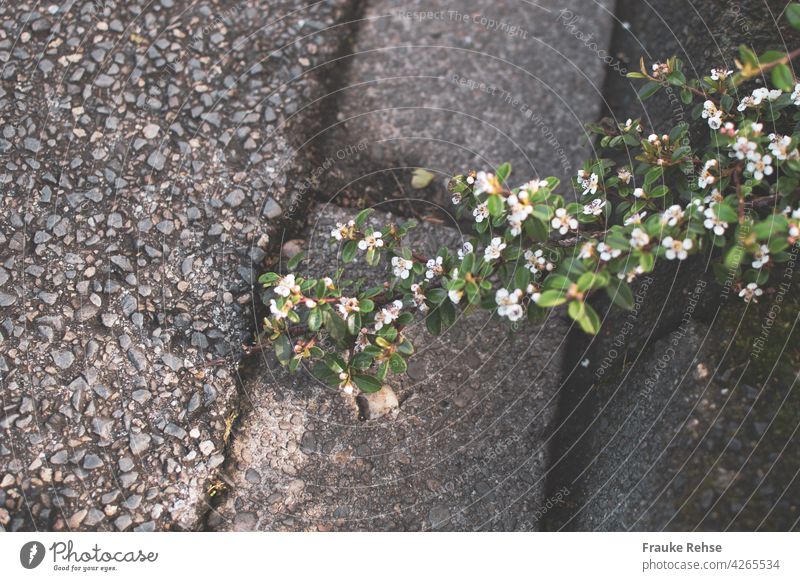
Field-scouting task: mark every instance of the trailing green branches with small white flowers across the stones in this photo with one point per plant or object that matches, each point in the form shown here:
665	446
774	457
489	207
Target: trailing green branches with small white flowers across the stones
735	198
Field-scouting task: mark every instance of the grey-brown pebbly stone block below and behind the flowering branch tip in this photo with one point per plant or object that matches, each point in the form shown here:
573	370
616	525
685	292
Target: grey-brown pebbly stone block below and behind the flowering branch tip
467	451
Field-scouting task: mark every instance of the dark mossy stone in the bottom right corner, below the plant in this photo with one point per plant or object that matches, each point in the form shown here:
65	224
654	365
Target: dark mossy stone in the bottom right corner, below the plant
688	440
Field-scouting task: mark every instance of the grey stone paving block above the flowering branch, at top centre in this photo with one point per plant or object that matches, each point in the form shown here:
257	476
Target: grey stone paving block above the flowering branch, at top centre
436	85
